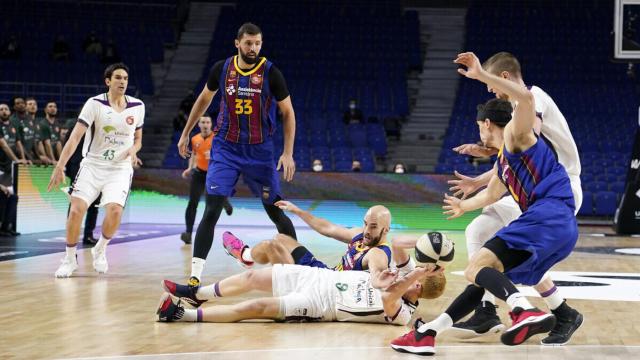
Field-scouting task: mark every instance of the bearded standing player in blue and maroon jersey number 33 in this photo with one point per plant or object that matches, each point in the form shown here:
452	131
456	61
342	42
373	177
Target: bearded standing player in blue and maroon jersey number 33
251	88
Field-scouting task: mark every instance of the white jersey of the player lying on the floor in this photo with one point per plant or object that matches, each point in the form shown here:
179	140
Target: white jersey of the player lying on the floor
357	301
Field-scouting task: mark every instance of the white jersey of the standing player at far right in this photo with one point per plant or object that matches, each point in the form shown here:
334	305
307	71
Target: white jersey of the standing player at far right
556	130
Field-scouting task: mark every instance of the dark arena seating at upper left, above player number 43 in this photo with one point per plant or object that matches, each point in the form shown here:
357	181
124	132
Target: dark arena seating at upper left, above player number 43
138	31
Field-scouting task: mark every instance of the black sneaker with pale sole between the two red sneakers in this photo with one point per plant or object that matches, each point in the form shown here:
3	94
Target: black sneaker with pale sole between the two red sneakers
483	322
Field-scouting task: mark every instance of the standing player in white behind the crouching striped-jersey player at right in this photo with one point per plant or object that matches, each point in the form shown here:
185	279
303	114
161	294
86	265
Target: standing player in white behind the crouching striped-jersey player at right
553	126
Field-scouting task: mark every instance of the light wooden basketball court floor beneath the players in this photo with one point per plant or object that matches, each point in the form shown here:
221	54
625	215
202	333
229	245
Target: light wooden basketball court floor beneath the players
113	315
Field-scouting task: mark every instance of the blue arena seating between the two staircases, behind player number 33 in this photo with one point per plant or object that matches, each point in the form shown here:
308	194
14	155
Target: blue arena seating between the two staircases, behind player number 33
325	69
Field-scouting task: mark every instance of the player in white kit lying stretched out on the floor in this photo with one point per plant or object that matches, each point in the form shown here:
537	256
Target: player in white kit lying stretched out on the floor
302	293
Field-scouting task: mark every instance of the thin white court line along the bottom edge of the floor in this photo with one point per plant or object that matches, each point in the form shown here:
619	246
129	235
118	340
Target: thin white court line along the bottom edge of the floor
474	346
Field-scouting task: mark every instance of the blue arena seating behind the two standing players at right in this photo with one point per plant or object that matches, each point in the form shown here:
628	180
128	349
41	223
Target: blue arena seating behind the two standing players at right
566	52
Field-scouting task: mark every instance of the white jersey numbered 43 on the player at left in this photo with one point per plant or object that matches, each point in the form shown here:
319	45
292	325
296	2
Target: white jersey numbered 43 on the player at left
110	133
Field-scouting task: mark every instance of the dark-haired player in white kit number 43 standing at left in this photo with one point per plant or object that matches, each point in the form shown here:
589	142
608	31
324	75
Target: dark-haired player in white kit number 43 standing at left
112	126
